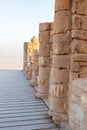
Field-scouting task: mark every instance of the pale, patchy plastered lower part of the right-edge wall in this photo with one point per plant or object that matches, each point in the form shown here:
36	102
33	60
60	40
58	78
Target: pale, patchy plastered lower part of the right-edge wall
78	104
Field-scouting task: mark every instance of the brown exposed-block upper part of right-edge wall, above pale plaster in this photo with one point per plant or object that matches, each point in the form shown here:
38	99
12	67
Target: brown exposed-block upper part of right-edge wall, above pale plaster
79	40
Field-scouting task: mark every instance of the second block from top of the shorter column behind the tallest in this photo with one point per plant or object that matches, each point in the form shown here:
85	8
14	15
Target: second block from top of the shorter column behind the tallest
44	37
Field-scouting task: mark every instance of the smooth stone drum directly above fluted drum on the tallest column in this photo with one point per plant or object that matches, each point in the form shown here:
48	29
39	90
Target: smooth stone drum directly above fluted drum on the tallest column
59	75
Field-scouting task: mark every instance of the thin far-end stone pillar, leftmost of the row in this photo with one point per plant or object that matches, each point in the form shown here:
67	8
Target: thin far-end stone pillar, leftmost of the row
25	58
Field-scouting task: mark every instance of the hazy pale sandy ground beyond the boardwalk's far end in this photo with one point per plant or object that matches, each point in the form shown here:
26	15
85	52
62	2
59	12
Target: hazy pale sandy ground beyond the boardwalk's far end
11	62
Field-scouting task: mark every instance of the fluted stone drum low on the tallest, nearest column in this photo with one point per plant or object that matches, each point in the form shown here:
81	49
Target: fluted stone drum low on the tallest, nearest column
59	90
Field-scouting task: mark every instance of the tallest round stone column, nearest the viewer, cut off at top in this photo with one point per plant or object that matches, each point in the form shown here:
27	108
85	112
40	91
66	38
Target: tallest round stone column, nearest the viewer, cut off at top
60	62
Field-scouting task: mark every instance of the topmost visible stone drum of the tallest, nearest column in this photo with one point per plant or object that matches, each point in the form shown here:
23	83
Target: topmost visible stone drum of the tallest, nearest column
62	5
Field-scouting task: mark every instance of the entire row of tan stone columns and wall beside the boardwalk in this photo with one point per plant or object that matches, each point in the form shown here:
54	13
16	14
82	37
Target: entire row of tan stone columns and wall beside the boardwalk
60	68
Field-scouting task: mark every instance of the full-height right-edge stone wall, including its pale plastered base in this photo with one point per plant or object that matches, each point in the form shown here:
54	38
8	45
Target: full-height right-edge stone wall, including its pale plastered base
78	67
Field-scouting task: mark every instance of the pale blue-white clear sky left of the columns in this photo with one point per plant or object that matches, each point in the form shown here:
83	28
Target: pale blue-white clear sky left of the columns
19	22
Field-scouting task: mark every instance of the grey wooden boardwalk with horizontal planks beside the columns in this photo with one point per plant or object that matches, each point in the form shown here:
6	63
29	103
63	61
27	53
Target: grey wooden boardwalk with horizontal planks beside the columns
19	108
